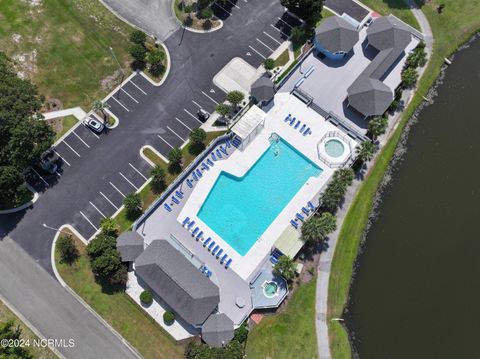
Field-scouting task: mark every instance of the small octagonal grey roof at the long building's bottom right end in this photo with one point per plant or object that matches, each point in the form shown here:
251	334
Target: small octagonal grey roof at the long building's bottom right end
217	331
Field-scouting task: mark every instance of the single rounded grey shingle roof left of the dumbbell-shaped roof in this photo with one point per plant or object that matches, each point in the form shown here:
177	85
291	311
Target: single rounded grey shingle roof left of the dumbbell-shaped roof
336	34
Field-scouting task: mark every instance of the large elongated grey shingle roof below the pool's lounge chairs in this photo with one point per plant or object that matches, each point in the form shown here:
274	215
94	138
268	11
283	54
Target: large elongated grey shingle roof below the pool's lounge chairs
177	281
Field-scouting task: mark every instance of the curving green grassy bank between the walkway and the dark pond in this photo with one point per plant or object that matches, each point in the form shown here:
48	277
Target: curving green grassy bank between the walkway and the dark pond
459	21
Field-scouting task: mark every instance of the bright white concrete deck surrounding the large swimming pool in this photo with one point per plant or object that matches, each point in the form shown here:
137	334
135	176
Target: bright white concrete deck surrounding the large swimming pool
241	161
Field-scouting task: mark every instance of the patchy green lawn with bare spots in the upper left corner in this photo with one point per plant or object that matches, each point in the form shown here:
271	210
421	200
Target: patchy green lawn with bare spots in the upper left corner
63	46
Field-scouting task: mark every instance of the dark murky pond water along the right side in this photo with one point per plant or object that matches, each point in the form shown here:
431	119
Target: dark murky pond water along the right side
417	289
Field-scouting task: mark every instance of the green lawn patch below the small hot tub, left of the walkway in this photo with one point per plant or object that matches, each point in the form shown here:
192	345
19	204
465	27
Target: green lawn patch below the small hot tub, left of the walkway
290	334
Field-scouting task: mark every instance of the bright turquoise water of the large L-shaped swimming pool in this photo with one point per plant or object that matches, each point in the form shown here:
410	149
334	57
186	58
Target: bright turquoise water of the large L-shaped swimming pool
240	209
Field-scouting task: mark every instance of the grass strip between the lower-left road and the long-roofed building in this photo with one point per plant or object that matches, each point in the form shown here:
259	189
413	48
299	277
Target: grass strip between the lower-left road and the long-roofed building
119	310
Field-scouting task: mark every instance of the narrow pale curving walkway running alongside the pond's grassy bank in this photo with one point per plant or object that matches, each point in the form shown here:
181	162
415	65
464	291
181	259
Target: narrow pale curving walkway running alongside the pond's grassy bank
324	265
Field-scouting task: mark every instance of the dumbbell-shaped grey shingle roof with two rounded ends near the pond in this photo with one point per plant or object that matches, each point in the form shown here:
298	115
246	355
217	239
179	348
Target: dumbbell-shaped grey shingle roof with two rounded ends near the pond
368	94
